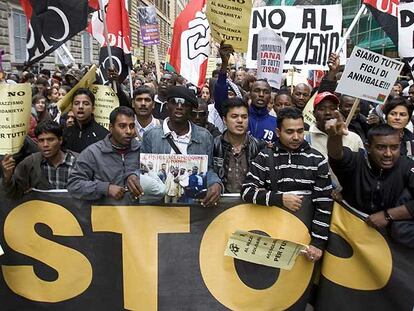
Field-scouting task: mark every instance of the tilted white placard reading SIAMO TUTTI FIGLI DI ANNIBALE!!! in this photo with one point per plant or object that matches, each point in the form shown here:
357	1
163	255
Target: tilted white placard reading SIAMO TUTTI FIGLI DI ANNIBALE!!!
369	75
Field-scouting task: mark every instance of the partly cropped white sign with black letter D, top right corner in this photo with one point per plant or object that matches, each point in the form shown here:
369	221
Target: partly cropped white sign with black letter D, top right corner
406	29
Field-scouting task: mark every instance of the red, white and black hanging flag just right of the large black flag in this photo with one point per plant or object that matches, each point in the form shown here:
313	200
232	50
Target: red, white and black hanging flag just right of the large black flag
119	31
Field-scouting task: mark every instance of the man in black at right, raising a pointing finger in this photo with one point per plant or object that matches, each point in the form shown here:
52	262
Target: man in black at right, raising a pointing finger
377	181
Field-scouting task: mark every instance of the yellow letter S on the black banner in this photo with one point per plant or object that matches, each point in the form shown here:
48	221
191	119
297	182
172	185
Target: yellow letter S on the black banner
74	269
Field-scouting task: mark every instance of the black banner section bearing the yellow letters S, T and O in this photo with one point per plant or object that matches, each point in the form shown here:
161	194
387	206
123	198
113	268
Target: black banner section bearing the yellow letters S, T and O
63	254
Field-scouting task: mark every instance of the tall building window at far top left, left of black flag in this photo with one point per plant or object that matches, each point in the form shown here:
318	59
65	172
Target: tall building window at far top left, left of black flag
17	35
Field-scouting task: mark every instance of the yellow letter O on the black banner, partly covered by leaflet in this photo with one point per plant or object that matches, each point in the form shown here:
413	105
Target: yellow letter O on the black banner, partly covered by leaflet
219	272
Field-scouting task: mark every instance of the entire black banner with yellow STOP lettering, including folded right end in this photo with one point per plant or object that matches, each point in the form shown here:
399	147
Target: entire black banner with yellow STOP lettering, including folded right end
64	254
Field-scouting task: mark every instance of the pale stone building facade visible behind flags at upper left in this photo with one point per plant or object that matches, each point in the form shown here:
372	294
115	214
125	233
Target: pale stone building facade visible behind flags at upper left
84	49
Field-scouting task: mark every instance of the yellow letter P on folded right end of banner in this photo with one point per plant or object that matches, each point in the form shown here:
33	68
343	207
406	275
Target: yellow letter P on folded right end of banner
370	266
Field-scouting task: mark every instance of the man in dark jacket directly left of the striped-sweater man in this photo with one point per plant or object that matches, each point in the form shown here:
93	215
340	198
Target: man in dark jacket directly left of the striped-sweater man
235	149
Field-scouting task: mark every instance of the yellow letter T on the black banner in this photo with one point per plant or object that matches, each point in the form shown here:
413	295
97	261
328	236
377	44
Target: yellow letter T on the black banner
140	227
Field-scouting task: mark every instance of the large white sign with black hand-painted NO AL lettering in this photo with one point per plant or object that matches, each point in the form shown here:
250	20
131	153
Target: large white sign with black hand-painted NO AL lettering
311	33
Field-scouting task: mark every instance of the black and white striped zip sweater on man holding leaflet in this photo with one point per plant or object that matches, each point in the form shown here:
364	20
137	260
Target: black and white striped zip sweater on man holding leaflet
303	172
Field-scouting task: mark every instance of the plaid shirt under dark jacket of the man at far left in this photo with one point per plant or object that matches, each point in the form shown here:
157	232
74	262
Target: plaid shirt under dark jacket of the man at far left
58	176
